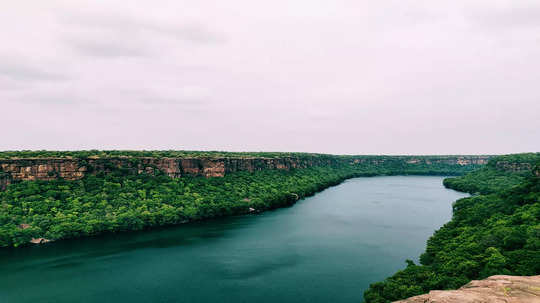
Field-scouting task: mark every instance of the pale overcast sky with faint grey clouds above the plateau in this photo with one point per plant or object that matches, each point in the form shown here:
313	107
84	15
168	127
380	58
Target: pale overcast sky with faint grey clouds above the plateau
341	76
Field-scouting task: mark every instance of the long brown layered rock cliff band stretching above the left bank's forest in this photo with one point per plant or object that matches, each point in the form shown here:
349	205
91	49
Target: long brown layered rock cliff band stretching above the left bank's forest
76	168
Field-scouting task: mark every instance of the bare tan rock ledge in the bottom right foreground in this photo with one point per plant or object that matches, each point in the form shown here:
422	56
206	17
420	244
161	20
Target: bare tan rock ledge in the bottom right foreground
495	289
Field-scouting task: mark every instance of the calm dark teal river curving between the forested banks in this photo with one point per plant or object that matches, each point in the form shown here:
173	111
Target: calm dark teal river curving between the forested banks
326	248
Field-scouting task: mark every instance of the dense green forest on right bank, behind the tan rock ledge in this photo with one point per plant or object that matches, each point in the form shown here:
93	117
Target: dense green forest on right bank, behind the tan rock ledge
495	231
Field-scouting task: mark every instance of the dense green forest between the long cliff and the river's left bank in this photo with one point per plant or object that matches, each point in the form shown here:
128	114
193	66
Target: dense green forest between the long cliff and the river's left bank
119	201
